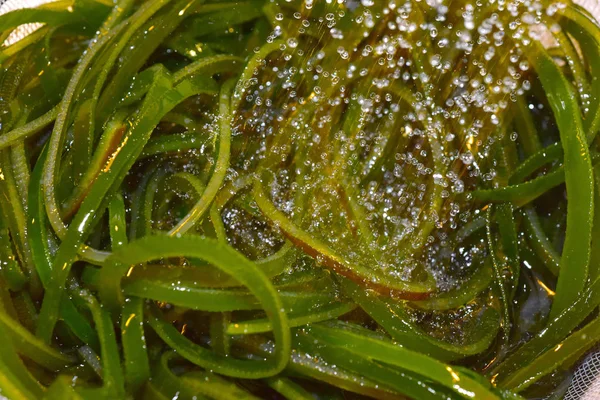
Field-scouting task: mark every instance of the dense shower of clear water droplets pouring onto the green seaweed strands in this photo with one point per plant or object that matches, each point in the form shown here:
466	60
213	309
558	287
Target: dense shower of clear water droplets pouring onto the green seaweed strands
404	102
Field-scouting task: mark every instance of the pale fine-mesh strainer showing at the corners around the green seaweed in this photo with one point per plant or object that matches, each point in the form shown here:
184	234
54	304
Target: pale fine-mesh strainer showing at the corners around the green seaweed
585	383
